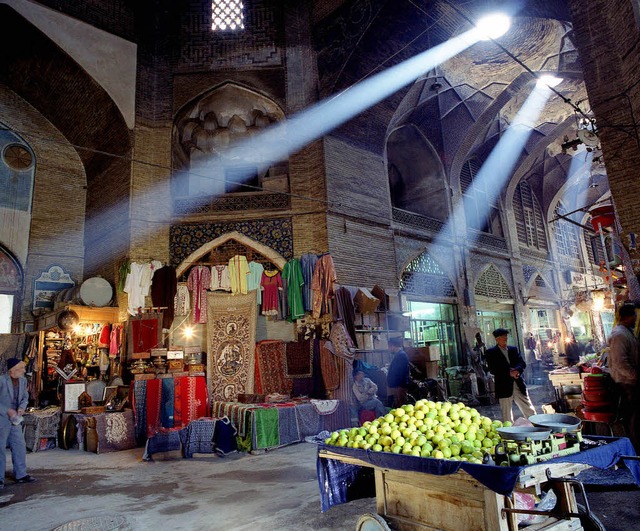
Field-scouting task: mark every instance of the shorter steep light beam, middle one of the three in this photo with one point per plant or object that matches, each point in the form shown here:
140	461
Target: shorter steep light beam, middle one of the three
498	168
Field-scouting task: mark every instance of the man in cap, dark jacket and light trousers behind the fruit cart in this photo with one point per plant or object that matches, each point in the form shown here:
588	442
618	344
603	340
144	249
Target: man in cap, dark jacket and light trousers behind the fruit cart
507	365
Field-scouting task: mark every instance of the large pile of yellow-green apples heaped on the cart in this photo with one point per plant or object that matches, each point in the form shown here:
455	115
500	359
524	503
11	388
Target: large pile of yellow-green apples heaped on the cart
442	430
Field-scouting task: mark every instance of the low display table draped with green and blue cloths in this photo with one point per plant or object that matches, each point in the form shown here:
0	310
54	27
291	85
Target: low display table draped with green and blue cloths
268	426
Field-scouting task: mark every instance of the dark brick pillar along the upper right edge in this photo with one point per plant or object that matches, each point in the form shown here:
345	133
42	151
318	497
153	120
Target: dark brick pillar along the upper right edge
607	37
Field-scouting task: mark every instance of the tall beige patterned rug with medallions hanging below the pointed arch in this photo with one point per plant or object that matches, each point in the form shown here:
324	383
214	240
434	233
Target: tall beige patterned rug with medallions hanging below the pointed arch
231	330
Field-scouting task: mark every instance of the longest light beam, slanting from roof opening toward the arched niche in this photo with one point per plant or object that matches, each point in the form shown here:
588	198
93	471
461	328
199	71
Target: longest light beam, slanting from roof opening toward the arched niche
279	141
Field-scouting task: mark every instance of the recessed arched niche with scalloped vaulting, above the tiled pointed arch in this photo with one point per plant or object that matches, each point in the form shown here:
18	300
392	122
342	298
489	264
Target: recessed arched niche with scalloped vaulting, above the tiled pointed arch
205	129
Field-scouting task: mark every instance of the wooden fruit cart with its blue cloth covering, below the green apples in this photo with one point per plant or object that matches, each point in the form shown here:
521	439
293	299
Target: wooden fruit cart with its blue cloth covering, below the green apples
457	496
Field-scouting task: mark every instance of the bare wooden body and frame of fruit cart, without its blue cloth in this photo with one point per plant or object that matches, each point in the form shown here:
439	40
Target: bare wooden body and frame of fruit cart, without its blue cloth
411	500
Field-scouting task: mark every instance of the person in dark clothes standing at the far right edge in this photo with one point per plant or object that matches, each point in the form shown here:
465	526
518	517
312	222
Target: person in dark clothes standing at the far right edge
622	360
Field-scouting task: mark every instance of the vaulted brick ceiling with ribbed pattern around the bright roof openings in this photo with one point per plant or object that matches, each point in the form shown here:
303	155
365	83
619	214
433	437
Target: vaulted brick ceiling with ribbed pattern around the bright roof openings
463	106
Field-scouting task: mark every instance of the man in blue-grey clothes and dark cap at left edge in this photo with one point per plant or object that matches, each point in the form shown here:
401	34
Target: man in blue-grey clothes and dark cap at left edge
13	402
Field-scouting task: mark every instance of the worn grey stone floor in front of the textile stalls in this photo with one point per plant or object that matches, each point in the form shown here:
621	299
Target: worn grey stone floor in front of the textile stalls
277	490
